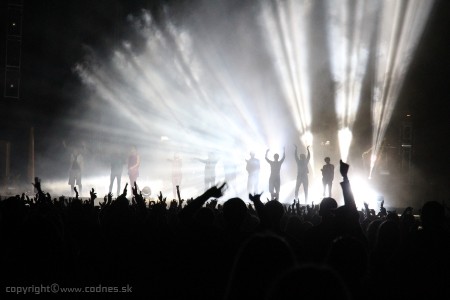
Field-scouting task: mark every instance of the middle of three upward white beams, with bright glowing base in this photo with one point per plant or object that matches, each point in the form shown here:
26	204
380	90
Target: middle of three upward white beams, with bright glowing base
350	27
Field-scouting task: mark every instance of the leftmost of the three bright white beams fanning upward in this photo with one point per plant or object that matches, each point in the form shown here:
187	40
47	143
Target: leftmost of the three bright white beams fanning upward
285	24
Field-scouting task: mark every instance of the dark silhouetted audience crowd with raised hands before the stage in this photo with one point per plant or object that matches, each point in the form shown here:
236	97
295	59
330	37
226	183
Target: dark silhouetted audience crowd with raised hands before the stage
200	249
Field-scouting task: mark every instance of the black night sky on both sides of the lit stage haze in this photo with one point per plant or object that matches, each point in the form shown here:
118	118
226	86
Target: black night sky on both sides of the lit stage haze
54	32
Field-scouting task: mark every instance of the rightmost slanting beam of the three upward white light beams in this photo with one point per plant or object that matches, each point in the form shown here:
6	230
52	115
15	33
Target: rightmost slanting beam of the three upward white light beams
401	25
